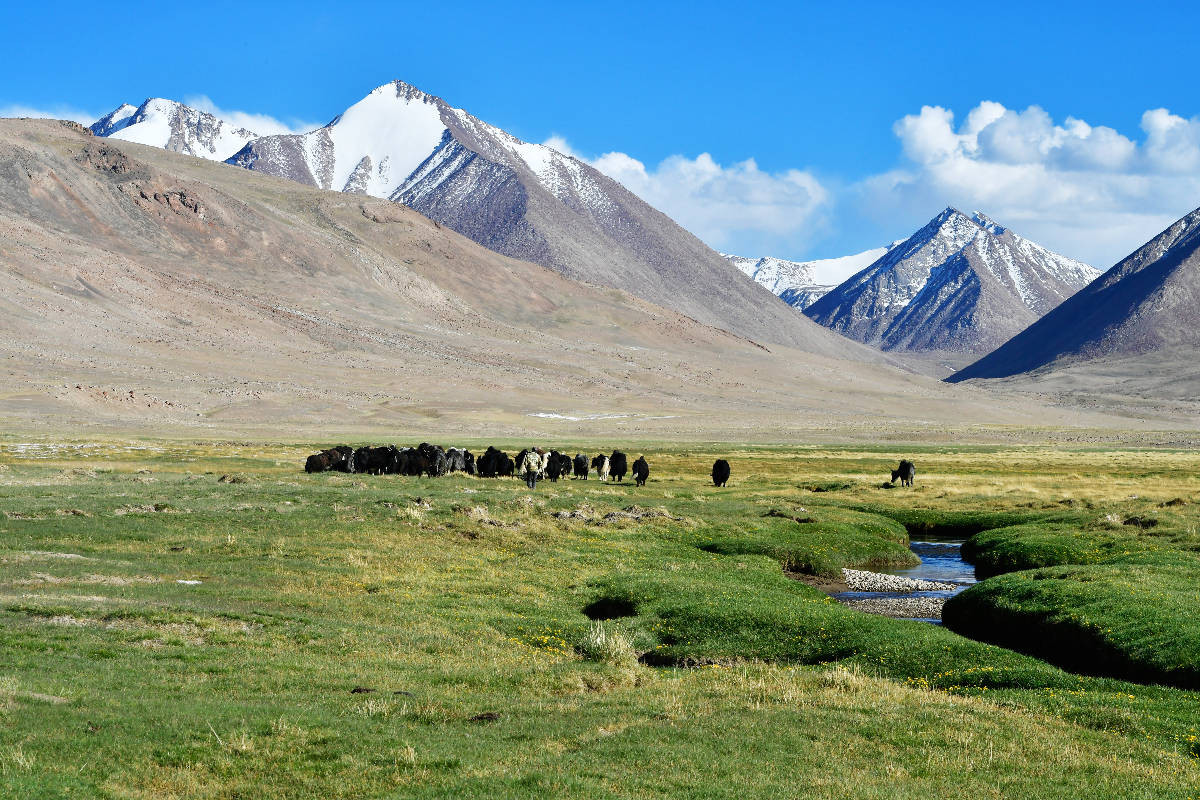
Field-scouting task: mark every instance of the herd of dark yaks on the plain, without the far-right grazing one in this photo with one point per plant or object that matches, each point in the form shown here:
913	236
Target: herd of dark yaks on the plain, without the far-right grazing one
436	461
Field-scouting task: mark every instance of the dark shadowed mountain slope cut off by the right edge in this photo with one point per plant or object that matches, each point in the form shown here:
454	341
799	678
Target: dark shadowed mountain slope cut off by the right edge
1136	329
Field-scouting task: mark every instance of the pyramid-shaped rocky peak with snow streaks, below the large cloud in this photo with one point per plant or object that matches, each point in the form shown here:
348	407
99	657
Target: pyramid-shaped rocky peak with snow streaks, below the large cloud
961	286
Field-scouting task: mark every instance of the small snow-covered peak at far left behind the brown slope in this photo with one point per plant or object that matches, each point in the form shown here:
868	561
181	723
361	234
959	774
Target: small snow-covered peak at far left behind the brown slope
173	127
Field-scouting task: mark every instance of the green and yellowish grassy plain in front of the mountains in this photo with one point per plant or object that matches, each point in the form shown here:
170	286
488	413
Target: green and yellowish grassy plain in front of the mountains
391	637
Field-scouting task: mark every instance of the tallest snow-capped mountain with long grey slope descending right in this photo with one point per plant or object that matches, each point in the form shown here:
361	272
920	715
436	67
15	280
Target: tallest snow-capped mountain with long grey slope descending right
525	201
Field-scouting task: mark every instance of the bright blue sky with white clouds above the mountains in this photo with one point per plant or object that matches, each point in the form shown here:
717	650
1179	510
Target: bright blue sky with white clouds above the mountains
844	109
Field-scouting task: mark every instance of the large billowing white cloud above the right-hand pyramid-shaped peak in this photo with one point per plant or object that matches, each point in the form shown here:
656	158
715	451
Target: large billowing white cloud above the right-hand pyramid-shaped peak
1088	191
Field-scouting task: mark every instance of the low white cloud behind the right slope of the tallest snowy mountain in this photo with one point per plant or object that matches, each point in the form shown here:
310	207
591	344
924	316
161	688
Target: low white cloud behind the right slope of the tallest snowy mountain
733	208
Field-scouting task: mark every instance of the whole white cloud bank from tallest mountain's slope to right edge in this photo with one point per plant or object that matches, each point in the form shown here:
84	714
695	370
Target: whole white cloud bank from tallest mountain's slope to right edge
1087	191
